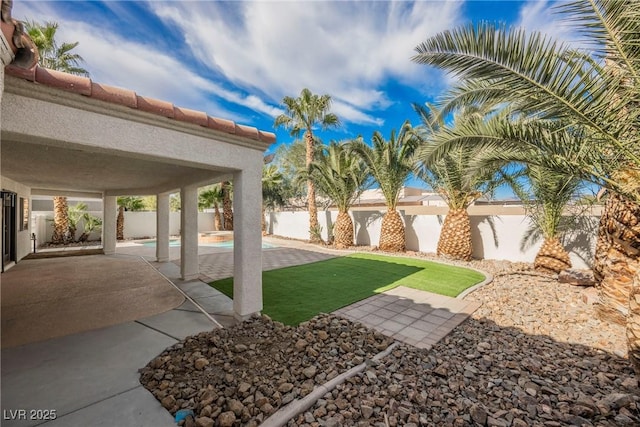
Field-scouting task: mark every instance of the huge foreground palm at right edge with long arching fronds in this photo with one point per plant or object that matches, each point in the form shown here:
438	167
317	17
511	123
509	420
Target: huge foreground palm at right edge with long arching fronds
599	92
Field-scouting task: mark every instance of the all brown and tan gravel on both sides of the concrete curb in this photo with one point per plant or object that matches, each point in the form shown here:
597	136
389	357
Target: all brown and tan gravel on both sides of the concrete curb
534	354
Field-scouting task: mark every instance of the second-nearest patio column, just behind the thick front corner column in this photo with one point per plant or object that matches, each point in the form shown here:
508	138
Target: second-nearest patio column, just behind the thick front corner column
189	269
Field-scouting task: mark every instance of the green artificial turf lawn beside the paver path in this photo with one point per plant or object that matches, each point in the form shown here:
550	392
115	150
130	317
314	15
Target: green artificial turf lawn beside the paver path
294	294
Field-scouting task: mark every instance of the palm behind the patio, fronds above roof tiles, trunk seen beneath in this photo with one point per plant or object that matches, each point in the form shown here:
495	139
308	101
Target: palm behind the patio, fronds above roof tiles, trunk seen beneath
56	57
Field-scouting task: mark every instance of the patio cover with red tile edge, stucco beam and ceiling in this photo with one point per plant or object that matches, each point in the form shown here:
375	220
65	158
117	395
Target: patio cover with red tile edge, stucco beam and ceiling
66	135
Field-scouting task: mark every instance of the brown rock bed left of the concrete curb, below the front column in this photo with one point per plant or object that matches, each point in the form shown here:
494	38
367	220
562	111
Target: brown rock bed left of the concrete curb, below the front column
241	375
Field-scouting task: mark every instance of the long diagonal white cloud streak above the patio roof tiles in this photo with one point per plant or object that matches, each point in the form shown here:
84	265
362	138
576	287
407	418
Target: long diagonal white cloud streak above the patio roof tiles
114	60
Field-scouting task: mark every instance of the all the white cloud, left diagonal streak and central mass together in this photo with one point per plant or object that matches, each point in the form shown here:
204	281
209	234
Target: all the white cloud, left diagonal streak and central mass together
265	50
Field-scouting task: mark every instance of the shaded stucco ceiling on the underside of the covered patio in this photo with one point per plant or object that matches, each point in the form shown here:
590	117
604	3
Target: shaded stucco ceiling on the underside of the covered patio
57	168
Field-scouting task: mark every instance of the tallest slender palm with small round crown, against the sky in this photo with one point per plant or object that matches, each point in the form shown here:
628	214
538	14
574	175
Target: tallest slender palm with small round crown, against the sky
302	114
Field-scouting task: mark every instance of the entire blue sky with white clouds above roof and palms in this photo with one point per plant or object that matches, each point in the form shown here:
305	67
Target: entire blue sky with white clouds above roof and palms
238	59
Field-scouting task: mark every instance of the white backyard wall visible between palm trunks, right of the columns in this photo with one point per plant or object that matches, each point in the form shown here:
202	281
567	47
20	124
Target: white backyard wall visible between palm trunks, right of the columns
502	237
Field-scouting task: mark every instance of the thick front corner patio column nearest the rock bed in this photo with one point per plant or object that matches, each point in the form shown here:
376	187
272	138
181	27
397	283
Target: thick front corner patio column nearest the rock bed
247	252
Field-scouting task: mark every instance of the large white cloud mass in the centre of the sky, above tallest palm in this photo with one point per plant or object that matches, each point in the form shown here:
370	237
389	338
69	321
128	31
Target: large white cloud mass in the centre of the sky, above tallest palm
345	49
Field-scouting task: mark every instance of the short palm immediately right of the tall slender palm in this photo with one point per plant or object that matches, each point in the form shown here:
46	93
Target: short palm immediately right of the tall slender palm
341	177
